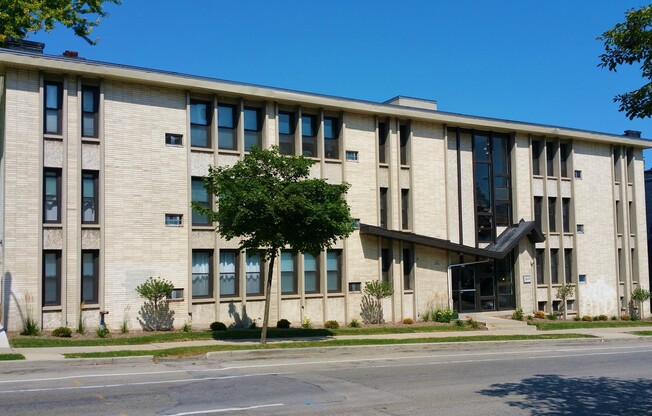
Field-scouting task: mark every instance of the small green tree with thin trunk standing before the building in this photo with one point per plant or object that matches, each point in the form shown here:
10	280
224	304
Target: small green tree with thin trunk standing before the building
268	201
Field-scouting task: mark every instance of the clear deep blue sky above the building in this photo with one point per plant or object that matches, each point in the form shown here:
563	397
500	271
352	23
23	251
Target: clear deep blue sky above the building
533	61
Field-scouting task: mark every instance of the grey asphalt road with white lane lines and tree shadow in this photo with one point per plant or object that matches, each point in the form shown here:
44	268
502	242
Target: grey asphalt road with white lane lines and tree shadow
525	378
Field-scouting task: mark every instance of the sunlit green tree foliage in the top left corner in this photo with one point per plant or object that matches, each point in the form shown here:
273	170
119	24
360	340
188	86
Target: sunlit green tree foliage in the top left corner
20	17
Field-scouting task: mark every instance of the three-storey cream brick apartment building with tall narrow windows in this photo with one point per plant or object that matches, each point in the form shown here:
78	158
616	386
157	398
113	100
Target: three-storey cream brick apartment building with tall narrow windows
100	164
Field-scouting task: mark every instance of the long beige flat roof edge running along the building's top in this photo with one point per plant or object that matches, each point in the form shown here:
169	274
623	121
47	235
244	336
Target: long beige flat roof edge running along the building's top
200	84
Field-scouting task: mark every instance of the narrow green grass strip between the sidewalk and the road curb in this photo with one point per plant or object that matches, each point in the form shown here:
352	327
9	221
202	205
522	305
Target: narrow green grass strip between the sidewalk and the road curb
194	351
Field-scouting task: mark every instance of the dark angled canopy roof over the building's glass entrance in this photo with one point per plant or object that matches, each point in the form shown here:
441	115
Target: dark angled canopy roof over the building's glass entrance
504	244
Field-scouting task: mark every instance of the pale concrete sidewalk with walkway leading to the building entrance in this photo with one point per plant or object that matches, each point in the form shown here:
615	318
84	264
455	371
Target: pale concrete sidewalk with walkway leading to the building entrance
495	324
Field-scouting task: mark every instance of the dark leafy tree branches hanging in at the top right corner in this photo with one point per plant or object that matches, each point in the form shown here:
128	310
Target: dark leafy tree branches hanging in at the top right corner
628	43
